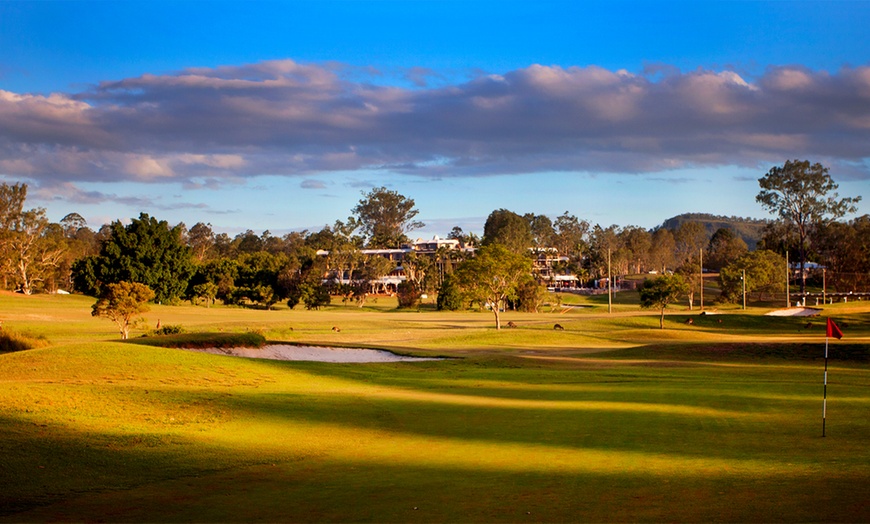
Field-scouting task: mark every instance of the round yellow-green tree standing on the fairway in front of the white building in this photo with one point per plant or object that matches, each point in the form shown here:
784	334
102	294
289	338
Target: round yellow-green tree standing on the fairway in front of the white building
492	276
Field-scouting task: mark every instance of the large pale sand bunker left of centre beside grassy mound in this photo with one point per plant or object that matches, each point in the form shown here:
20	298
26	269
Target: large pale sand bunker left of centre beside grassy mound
314	353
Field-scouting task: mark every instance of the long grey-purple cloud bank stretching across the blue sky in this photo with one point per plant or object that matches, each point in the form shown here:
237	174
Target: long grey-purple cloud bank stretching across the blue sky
204	126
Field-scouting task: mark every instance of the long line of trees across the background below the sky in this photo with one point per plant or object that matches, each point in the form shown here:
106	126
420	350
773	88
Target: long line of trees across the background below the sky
313	268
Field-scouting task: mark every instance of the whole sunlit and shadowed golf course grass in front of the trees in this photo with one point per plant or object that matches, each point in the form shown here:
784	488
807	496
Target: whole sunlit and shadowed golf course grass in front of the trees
609	420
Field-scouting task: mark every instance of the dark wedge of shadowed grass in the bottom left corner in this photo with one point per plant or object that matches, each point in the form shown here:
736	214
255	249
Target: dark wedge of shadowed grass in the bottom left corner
46	462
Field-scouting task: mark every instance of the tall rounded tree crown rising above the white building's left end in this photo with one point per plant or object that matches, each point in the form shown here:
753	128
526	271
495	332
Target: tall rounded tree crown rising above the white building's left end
385	216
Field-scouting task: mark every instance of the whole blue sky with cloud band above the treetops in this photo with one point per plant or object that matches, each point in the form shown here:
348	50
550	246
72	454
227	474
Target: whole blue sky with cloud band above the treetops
279	116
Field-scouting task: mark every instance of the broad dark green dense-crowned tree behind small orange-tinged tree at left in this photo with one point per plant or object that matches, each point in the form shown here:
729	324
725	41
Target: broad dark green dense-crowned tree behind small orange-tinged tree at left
146	251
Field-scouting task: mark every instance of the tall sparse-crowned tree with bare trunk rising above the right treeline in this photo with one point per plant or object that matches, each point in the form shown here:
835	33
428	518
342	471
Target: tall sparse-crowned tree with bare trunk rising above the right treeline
804	196
